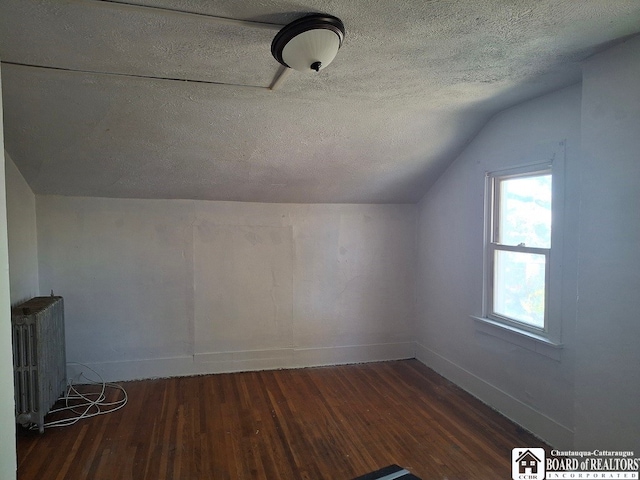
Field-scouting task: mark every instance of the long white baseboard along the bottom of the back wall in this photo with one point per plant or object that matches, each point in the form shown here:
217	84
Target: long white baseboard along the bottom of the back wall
240	361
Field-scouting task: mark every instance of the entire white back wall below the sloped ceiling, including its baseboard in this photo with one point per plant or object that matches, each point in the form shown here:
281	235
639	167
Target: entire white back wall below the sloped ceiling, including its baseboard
167	287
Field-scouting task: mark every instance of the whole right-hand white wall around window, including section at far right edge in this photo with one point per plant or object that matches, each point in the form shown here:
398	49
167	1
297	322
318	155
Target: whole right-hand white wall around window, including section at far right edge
588	397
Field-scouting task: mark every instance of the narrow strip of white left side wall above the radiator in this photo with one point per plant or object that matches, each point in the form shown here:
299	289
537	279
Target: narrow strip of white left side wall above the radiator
23	241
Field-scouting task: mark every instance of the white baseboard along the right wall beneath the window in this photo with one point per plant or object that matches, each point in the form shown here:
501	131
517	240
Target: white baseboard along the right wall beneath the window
549	430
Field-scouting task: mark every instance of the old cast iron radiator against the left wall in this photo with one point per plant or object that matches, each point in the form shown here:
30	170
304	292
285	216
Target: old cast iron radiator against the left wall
39	358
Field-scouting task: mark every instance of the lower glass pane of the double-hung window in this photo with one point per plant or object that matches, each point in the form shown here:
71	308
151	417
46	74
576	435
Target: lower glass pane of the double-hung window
518	287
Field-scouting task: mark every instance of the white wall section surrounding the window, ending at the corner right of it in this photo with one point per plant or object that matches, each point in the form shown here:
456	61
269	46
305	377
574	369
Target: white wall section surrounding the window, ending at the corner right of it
532	389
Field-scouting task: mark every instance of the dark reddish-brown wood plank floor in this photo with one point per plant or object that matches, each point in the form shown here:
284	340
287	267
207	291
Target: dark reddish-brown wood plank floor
314	423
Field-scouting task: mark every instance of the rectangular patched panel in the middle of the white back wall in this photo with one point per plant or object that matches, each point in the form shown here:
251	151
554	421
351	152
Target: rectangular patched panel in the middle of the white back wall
243	285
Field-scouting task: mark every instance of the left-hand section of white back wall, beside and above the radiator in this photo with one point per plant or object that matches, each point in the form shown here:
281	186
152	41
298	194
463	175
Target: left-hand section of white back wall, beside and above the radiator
125	271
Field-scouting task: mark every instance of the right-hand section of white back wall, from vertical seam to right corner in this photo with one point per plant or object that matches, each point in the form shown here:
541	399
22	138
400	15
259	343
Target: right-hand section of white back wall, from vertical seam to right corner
354	274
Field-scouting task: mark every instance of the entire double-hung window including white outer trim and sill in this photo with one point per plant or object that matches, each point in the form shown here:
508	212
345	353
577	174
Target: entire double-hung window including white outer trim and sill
523	265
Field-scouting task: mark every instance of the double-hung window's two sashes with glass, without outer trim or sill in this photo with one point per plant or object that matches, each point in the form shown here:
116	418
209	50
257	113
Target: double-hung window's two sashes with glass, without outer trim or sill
518	248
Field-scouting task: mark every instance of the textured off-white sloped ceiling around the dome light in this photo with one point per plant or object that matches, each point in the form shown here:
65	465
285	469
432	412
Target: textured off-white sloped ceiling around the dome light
169	102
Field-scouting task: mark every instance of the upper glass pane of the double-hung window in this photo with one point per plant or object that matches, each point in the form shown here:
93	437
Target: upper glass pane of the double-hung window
525	211
